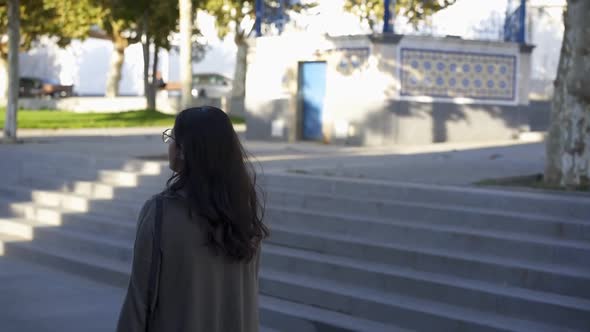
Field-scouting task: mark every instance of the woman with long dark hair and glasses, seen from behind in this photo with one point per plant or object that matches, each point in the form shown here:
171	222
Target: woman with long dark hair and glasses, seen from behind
206	271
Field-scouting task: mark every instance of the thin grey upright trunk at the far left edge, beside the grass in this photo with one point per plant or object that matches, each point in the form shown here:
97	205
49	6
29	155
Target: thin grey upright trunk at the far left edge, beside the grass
13	76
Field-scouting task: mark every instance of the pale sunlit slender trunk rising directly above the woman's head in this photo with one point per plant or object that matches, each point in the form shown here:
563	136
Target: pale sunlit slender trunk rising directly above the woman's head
186	66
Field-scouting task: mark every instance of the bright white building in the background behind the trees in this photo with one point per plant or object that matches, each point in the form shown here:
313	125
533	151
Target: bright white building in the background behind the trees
85	63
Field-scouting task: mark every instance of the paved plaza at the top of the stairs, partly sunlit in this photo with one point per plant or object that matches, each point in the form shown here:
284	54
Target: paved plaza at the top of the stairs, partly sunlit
456	163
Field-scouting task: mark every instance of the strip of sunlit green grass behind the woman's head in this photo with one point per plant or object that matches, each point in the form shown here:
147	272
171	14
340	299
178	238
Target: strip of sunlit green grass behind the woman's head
51	119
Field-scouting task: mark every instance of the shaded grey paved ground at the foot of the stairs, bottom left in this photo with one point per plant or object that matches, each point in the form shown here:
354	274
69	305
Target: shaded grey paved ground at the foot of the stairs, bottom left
38	299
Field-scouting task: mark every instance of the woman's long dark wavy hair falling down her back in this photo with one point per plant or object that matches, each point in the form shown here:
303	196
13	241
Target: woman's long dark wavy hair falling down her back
219	182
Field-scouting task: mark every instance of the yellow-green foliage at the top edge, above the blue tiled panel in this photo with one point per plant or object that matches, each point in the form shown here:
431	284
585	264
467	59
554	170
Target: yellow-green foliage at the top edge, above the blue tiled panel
371	11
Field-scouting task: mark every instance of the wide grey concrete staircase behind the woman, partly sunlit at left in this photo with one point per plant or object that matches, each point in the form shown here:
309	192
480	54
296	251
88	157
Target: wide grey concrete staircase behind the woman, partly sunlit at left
344	255
